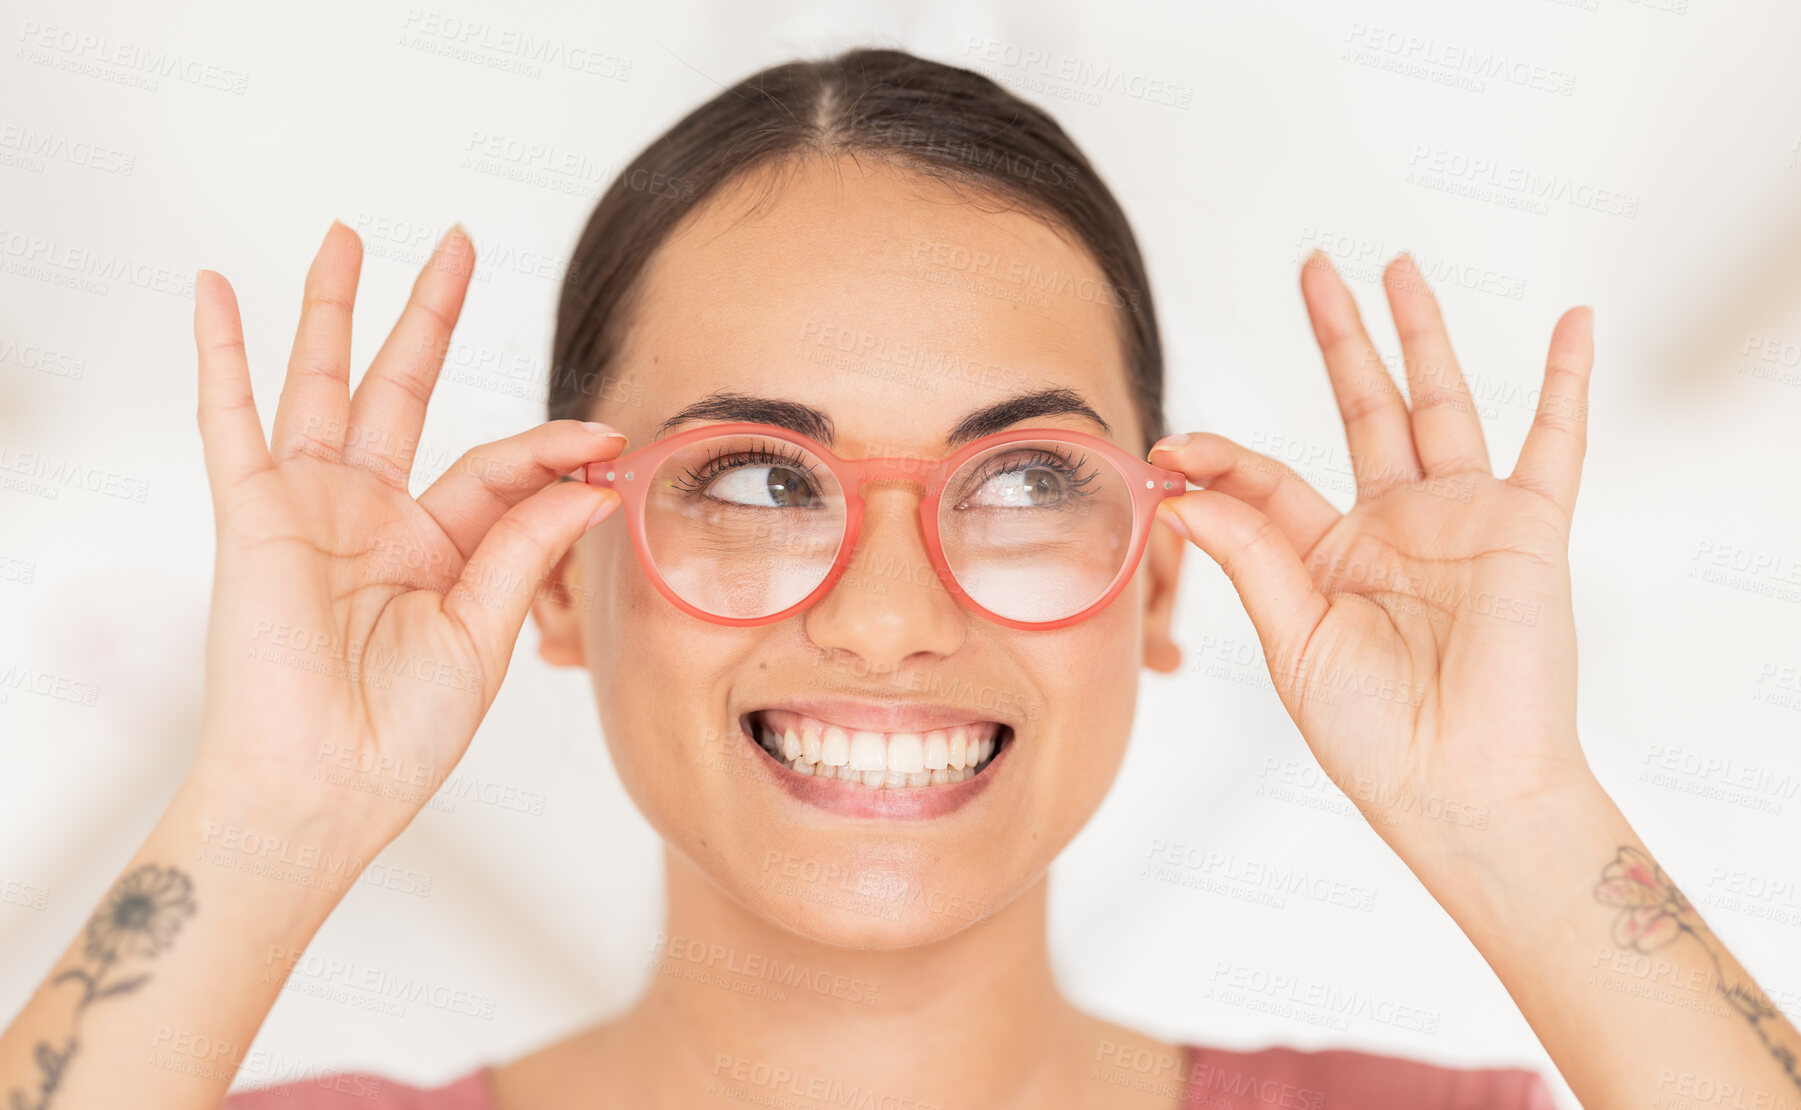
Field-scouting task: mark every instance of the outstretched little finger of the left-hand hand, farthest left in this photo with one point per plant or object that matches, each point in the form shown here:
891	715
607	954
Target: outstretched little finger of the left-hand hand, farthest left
231	433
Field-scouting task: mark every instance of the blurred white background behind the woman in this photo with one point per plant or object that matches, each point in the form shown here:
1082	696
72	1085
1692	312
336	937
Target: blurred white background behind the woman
1289	140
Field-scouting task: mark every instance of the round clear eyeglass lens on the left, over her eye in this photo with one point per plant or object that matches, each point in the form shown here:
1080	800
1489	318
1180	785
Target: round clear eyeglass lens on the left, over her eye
743	527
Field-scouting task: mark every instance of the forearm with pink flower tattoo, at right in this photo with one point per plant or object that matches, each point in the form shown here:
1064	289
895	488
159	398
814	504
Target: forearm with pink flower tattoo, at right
1638	1003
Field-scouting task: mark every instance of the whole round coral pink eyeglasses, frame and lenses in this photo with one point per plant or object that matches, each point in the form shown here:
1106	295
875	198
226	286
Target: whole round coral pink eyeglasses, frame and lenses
750	523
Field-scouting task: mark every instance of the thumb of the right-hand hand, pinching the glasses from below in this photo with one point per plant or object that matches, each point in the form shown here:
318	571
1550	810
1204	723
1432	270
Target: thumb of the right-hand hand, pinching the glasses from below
1276	588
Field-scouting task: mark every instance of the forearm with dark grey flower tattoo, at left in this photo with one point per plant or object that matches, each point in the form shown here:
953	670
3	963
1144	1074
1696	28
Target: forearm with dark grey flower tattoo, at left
158	999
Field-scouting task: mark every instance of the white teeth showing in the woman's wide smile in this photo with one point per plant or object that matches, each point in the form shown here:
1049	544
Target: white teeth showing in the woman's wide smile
883	760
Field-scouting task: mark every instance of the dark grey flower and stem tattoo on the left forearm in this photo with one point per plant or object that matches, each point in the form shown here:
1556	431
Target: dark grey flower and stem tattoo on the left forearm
141	916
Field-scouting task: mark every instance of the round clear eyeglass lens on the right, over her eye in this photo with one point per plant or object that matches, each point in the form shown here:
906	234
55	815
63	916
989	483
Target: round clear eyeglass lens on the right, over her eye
1036	531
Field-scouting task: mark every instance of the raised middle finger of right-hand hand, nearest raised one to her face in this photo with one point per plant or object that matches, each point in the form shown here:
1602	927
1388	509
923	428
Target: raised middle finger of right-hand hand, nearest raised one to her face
1377	428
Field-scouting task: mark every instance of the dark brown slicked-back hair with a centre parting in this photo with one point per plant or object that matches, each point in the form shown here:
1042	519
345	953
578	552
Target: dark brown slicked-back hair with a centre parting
928	118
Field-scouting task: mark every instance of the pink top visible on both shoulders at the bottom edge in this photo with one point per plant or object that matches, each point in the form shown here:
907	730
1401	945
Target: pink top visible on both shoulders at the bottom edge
1213	1080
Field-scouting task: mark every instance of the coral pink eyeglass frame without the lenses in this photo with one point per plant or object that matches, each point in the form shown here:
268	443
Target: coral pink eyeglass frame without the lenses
629	477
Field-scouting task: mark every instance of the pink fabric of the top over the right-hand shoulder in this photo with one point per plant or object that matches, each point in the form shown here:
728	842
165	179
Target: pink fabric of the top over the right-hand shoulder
1344	1080
